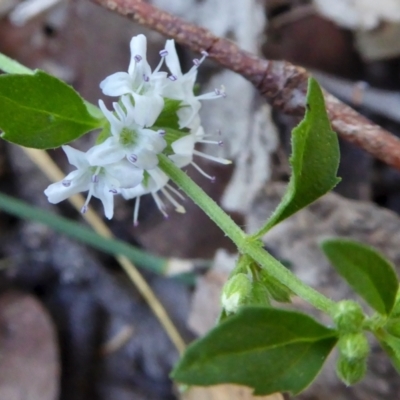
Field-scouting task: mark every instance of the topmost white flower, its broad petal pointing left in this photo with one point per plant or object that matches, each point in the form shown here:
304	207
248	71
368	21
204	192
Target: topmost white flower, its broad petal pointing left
145	86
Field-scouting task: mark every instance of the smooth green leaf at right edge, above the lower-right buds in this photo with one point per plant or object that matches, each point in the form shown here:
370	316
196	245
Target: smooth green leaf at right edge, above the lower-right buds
367	271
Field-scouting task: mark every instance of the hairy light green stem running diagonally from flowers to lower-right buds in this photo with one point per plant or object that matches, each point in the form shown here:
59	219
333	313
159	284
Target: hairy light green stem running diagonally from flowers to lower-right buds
245	244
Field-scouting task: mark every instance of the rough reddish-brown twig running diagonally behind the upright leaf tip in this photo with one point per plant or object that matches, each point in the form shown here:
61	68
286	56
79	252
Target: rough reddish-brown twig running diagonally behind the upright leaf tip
281	83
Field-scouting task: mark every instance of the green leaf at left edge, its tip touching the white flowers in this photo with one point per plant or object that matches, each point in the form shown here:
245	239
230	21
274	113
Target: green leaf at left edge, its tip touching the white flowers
41	111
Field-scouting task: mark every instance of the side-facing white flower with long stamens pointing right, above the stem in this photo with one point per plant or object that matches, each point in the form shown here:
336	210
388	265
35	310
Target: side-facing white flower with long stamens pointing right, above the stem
184	151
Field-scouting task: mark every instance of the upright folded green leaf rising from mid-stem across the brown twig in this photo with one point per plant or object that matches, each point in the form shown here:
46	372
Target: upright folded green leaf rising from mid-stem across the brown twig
315	160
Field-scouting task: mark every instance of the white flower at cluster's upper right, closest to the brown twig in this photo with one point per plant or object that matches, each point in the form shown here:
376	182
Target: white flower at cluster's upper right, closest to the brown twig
181	86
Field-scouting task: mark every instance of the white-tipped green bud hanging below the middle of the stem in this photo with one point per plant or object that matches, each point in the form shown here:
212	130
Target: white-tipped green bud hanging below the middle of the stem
235	292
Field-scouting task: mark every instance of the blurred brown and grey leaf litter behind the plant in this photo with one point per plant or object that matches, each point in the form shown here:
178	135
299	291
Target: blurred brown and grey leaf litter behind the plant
72	326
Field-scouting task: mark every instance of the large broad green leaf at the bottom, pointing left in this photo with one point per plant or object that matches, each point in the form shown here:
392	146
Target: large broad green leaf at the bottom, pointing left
270	350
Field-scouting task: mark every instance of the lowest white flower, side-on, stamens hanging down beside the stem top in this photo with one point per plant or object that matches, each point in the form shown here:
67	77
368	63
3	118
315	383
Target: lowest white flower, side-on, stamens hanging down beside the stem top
155	181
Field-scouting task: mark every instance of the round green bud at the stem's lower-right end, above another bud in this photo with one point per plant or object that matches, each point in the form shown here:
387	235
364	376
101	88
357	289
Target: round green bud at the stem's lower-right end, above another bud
348	316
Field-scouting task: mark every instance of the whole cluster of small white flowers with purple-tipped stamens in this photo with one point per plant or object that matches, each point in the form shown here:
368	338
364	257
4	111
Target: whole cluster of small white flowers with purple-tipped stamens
125	159
